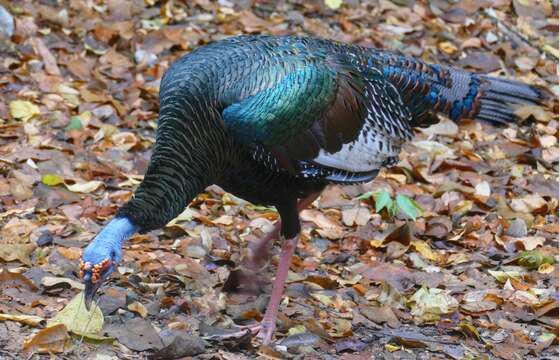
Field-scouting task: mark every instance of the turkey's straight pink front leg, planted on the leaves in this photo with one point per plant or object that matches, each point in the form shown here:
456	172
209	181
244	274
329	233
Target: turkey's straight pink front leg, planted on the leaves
268	324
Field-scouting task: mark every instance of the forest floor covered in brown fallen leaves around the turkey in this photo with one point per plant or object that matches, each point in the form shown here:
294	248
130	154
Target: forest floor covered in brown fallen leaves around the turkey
473	277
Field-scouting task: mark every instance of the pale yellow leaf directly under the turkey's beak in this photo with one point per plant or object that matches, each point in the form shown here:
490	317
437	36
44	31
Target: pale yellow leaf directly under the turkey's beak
77	319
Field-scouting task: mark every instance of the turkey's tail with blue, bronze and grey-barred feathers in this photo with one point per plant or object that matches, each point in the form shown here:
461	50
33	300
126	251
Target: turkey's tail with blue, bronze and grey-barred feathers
428	89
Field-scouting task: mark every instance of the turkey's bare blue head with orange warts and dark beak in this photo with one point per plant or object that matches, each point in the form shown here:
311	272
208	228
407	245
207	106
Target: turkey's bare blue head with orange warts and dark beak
101	257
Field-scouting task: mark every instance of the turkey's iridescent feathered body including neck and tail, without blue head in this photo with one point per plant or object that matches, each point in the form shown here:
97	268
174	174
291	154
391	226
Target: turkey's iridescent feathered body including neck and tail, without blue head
273	119
